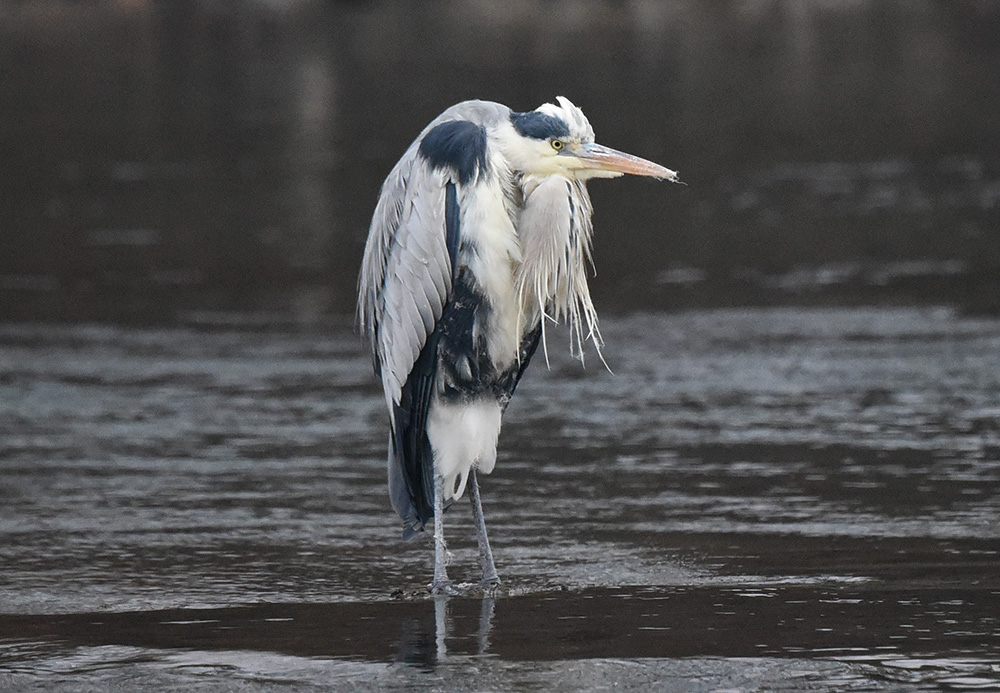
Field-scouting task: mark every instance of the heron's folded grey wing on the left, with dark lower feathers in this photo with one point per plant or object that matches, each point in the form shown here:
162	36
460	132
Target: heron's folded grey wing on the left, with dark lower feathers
405	281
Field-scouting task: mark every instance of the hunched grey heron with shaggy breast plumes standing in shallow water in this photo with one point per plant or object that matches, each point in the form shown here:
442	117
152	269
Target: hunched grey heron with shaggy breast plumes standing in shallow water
480	236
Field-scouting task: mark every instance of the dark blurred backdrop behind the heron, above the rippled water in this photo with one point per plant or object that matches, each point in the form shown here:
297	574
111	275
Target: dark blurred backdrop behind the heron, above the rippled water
161	158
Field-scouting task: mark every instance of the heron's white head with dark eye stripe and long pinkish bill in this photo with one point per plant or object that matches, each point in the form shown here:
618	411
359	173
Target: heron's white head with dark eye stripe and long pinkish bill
557	139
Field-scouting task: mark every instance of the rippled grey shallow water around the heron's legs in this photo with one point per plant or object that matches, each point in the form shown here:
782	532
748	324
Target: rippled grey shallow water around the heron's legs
763	499
